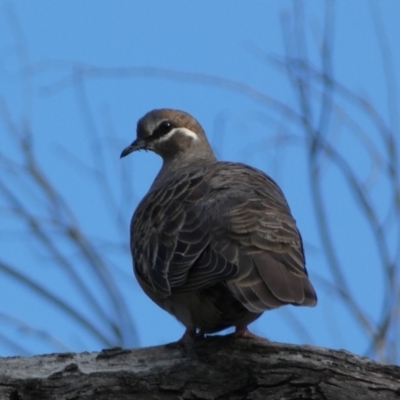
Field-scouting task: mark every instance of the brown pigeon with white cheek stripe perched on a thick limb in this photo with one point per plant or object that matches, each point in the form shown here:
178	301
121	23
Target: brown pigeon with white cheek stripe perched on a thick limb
213	242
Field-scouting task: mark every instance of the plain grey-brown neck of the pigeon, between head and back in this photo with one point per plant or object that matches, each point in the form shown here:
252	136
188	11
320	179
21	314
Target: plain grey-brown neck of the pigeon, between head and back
181	164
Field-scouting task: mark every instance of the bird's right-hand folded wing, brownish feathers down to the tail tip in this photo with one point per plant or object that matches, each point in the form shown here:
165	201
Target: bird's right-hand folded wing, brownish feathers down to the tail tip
254	230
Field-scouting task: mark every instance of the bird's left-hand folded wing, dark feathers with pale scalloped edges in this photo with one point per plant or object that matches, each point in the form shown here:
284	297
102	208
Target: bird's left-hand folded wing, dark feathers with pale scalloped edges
170	239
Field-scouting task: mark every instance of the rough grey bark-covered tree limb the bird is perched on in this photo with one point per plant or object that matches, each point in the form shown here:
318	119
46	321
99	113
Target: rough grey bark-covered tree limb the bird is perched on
212	368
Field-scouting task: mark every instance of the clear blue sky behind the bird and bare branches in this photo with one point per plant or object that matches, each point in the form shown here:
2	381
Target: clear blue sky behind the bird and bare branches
82	118
